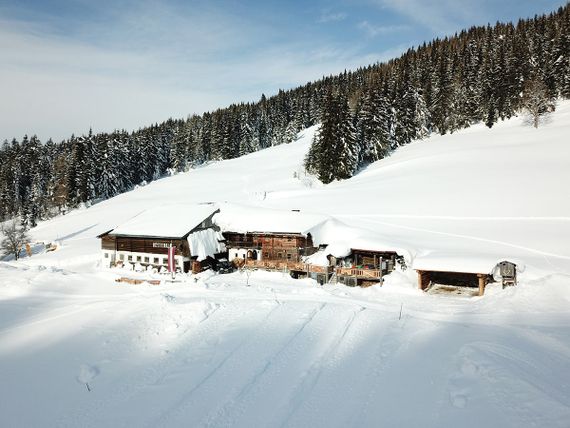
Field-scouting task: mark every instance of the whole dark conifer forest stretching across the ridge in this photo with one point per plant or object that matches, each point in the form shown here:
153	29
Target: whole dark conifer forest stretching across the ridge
484	74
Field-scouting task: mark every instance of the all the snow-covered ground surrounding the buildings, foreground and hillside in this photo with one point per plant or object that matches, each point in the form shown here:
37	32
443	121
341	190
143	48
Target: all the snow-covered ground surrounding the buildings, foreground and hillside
79	349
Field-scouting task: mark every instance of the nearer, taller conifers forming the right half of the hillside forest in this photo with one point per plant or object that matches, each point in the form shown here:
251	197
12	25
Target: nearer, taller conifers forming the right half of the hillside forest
484	74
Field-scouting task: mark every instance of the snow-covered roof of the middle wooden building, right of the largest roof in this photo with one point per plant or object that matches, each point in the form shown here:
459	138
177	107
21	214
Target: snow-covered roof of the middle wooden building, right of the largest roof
248	219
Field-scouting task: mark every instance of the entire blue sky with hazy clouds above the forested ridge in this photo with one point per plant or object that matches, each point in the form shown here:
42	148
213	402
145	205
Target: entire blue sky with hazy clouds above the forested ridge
66	66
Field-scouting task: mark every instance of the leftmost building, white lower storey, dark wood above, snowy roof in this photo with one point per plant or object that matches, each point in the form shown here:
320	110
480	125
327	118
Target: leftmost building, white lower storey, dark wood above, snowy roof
188	230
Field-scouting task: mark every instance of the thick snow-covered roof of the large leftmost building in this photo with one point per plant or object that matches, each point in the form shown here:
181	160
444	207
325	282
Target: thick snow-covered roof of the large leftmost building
168	221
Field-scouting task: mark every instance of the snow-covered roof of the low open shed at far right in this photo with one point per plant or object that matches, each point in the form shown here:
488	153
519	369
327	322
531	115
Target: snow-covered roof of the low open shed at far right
459	262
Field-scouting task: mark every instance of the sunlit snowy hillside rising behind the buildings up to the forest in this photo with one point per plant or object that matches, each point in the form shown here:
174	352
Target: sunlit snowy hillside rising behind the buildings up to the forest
503	191
